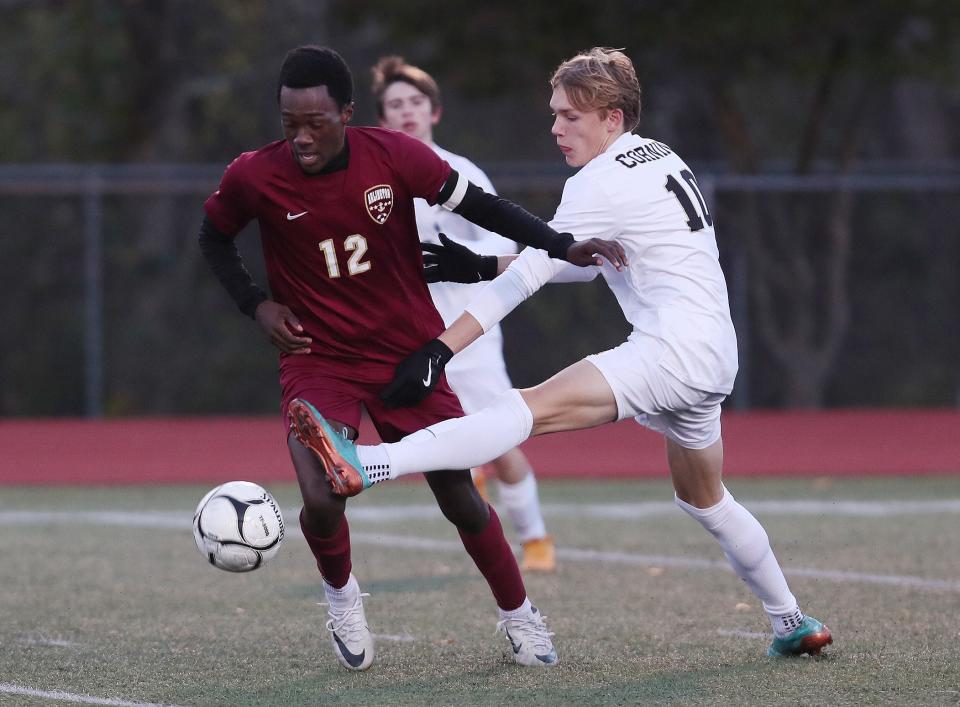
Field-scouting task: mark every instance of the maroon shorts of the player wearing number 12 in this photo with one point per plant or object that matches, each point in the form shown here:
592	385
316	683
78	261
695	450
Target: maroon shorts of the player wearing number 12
339	399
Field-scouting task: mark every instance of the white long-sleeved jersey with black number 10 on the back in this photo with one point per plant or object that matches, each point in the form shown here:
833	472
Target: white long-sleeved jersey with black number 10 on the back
641	194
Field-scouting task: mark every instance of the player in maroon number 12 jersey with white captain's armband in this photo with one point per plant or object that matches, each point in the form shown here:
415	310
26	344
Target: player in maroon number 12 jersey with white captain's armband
348	302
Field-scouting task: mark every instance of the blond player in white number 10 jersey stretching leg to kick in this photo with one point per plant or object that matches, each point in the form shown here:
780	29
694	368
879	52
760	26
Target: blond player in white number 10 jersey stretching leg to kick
678	363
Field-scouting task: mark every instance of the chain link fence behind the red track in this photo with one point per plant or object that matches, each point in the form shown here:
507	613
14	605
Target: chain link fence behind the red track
842	287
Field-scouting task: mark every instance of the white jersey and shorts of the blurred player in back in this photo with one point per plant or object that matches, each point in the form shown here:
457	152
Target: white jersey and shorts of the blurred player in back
479	370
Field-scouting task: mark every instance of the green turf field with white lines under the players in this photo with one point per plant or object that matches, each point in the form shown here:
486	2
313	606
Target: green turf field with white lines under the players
105	599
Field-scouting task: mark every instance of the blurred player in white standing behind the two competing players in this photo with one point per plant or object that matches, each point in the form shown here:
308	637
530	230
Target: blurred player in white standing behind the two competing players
408	99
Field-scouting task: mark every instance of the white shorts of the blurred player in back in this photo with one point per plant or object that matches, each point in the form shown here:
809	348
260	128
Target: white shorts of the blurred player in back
478	374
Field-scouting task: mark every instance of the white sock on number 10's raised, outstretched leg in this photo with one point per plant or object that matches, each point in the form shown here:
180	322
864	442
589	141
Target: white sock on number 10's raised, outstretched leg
460	443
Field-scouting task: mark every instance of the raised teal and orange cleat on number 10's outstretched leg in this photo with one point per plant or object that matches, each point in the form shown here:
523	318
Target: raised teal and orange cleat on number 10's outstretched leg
335	452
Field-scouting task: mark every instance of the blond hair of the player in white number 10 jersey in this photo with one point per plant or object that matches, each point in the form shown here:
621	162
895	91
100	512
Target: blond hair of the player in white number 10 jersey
601	79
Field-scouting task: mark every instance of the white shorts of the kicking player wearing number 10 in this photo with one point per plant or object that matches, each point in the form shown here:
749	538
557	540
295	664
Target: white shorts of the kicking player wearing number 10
655	397
